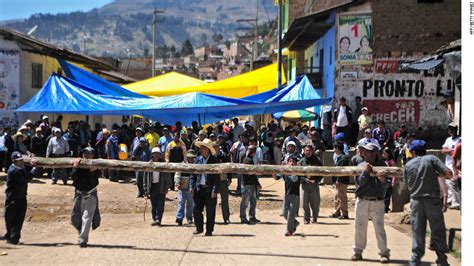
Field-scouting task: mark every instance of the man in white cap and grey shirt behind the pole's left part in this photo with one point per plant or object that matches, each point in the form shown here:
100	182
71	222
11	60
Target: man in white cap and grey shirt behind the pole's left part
58	147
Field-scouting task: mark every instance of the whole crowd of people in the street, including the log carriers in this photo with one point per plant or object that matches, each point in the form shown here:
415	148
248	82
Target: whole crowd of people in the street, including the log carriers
238	142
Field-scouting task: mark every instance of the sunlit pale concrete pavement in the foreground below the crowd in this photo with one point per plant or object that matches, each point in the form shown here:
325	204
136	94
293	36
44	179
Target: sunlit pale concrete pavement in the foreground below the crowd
127	239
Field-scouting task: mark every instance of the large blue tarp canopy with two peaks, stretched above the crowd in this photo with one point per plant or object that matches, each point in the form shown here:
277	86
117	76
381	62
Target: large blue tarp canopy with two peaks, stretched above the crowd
65	96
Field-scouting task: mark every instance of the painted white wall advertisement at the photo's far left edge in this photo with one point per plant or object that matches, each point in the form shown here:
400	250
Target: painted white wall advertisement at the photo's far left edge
9	86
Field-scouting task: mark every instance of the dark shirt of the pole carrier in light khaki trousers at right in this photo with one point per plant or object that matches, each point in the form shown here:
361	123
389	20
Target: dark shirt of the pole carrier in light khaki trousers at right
370	186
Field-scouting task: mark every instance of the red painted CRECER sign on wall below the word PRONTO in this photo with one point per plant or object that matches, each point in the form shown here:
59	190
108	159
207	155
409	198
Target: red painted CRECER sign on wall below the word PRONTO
394	111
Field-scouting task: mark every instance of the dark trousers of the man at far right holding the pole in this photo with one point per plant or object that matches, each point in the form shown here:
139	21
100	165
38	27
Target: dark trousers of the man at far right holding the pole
423	210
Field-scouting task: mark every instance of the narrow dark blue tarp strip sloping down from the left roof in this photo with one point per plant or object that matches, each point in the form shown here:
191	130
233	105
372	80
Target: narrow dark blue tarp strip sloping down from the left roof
100	85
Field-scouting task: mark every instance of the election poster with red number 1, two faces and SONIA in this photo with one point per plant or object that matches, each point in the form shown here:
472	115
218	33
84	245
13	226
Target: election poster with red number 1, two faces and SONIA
355	39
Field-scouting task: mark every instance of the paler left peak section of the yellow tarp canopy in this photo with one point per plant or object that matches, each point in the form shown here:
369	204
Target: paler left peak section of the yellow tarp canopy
167	82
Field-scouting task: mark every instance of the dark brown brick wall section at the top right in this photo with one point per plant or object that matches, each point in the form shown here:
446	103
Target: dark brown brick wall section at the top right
411	28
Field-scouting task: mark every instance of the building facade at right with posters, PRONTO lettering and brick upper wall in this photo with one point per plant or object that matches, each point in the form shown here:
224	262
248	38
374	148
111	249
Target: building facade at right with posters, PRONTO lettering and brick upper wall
361	48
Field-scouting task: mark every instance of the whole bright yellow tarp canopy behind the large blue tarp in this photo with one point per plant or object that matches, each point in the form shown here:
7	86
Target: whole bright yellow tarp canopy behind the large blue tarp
250	83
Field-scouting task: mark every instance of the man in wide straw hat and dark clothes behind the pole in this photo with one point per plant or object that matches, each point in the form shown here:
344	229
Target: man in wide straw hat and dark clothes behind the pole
204	189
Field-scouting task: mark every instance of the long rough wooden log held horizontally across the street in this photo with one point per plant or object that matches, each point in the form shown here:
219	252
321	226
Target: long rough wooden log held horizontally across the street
222	168
